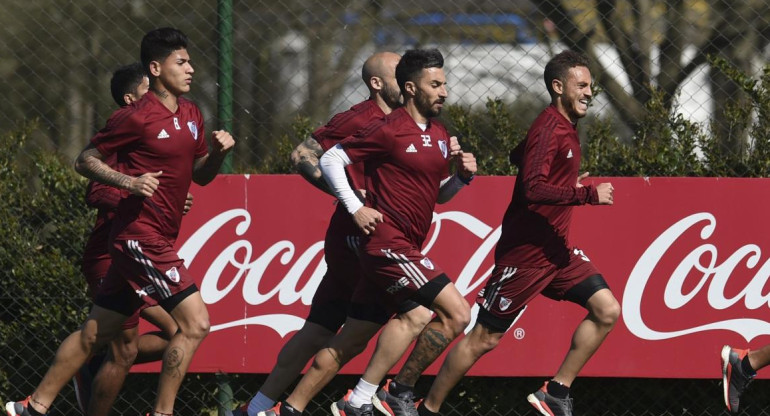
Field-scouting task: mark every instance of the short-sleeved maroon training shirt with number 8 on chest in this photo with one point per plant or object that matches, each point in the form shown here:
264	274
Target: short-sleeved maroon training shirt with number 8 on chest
148	137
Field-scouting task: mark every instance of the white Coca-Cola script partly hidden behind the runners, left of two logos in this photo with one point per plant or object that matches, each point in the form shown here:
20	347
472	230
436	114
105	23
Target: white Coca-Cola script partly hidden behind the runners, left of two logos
250	267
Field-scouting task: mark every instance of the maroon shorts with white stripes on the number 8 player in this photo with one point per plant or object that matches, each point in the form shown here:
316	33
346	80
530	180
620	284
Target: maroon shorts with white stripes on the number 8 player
147	271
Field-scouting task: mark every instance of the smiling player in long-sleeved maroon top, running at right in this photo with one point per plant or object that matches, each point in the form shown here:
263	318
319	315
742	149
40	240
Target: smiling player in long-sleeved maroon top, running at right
534	254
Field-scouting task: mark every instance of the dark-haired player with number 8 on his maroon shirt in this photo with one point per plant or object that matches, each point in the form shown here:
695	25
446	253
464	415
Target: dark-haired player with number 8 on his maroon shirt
161	148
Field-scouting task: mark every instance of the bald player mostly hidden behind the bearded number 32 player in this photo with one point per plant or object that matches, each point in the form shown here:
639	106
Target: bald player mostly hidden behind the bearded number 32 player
332	301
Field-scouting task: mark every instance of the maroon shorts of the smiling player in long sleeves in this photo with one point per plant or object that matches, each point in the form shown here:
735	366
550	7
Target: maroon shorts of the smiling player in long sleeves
509	289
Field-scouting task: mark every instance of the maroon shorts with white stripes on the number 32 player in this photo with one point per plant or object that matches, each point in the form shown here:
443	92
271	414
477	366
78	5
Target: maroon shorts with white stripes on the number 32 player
395	276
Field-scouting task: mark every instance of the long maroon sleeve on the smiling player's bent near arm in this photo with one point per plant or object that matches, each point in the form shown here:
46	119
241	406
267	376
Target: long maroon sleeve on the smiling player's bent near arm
539	152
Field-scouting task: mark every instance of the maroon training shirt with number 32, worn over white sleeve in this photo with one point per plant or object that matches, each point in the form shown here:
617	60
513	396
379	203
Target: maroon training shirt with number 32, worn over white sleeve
404	166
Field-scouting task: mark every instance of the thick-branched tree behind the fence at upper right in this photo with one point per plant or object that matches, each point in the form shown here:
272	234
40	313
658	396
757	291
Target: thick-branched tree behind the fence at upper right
639	28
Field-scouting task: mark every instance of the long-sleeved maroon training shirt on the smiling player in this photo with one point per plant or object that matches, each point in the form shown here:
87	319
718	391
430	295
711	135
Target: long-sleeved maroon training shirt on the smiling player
535	230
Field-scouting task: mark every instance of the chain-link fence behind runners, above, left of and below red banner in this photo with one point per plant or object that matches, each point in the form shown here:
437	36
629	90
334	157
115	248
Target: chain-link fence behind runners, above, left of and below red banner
296	62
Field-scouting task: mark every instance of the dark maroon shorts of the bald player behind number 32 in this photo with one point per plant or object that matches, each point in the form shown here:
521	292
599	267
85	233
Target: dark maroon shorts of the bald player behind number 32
331	300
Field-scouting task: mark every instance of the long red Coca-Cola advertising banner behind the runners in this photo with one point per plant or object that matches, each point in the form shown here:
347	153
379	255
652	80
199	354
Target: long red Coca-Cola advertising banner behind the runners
684	256
